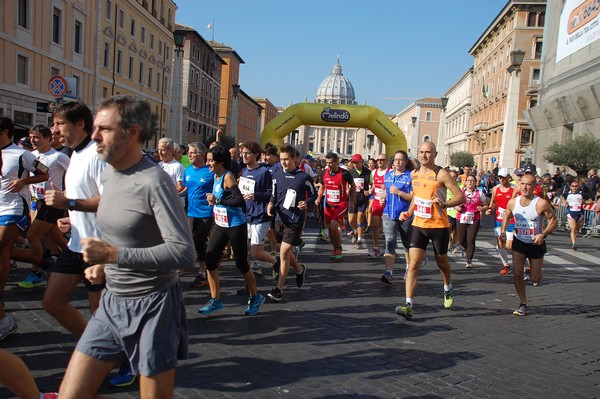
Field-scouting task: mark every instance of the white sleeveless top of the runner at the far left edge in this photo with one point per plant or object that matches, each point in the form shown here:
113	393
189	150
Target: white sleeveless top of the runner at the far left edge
16	164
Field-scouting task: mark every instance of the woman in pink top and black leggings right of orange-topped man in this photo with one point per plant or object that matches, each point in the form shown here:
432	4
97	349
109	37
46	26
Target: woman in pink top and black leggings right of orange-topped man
469	218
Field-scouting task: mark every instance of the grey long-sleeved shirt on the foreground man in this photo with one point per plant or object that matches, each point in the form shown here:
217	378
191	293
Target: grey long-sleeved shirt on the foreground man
140	214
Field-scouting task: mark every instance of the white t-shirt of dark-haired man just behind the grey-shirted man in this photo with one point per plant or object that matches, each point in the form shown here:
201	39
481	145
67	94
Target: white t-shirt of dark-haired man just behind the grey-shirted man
82	181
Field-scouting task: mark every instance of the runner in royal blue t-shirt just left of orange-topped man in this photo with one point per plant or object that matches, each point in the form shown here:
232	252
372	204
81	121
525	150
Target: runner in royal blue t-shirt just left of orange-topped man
396	199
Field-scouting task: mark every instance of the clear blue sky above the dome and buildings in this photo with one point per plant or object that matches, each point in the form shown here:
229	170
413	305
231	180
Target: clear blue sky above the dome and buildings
387	48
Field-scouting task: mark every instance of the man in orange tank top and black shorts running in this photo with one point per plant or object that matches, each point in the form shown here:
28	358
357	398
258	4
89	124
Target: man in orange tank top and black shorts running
430	183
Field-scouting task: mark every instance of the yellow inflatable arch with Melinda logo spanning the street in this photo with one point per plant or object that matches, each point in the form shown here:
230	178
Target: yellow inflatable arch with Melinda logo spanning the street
320	114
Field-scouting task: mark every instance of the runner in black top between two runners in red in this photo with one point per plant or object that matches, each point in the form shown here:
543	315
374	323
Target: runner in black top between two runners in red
356	213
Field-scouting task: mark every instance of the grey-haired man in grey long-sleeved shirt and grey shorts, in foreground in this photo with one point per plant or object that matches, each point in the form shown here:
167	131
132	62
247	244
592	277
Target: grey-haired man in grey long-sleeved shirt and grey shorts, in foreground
144	240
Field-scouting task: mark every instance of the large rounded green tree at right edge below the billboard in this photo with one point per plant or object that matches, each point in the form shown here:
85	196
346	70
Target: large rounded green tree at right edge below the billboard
581	154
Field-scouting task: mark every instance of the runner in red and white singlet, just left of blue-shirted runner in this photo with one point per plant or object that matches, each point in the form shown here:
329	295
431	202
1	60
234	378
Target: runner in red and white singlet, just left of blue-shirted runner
377	191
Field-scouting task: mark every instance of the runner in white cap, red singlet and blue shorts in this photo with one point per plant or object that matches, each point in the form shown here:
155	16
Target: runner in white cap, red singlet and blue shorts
501	194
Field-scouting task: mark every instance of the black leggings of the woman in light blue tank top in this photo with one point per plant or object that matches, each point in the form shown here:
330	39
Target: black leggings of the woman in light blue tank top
219	237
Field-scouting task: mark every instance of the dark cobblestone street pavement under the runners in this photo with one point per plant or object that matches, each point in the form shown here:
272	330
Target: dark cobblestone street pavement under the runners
338	337
